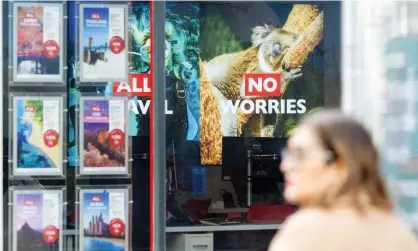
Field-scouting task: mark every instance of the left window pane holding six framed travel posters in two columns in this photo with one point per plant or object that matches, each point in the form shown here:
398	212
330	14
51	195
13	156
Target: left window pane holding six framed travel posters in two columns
76	155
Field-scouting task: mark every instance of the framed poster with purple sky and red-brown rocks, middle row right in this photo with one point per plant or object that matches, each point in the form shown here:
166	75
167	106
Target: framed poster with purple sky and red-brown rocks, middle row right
103	138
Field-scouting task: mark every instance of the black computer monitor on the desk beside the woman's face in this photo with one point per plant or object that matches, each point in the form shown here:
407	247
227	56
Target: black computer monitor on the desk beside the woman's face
266	178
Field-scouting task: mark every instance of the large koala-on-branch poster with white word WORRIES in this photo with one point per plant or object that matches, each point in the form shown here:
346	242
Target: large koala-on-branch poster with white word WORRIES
257	38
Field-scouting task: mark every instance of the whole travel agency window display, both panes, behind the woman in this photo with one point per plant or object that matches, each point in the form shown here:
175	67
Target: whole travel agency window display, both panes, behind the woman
237	78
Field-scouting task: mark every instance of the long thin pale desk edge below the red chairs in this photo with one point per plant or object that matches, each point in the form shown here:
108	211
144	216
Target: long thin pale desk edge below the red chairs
237	227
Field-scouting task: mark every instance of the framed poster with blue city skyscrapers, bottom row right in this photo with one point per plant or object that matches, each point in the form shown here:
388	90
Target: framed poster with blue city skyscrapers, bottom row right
103	220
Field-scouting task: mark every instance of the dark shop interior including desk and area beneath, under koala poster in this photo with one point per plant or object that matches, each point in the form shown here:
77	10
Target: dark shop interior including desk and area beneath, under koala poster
243	193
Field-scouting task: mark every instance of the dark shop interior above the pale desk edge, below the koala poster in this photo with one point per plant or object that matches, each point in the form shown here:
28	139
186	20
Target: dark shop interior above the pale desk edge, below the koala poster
247	183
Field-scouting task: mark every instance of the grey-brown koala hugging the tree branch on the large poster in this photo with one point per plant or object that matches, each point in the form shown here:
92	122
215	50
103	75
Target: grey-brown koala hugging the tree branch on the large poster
226	72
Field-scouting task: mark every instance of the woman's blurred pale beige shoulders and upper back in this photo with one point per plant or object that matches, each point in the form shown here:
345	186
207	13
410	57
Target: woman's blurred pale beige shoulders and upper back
314	225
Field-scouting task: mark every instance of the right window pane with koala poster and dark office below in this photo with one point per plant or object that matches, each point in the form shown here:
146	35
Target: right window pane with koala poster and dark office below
238	78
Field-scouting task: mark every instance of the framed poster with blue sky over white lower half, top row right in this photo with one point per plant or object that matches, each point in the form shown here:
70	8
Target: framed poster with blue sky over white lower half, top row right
103	51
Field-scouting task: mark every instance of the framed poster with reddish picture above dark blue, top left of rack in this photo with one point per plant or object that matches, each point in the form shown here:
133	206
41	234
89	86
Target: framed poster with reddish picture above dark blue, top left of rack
37	53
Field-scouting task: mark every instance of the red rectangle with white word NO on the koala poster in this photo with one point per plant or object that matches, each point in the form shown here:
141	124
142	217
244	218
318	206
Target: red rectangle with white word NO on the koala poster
262	85
